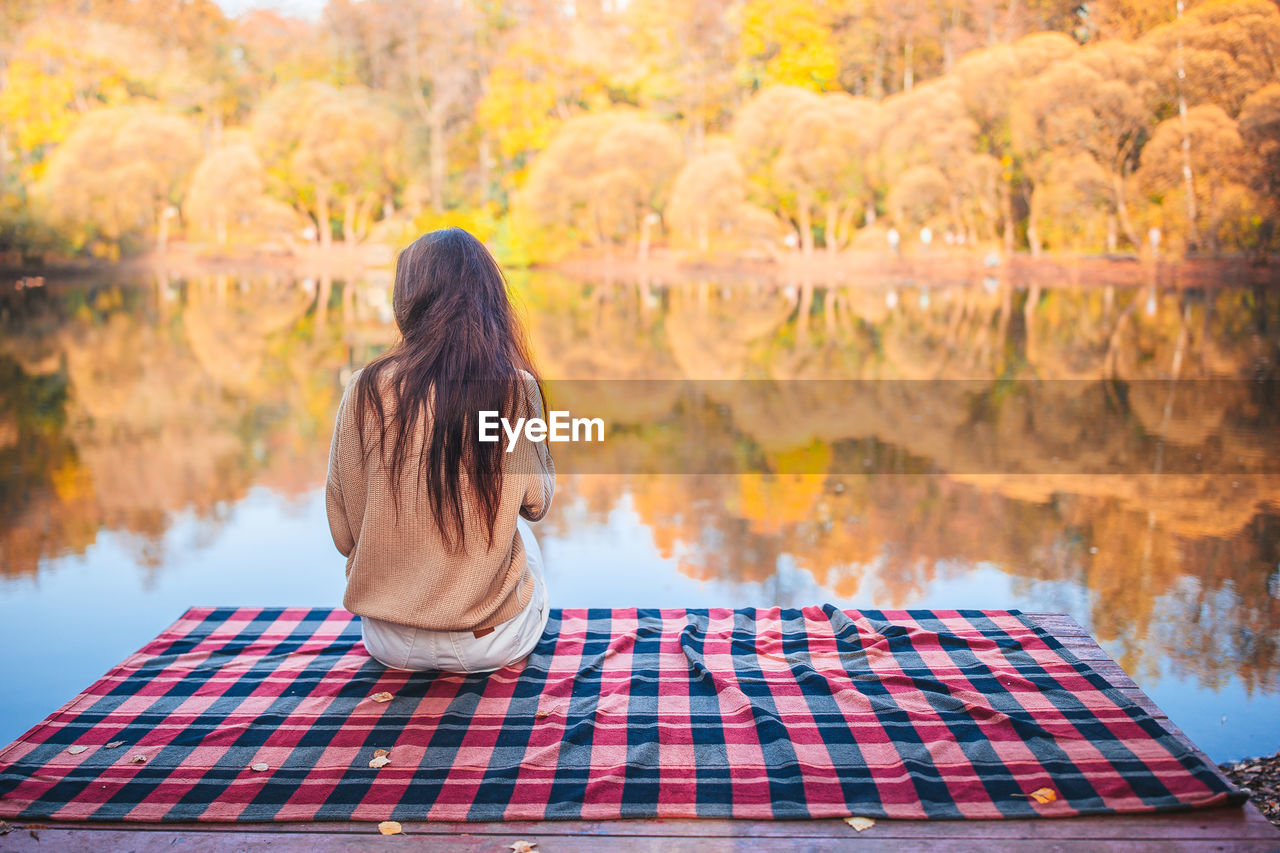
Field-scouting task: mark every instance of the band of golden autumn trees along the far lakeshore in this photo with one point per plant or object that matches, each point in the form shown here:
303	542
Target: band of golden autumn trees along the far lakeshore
715	129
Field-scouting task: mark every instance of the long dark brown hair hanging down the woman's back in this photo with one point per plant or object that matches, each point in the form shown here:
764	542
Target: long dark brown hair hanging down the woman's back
460	353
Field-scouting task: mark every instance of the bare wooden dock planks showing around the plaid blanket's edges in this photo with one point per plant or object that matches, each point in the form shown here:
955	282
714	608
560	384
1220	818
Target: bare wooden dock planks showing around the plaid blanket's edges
1218	829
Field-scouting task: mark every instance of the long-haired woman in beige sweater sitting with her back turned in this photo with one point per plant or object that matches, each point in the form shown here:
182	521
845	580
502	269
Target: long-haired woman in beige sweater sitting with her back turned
442	568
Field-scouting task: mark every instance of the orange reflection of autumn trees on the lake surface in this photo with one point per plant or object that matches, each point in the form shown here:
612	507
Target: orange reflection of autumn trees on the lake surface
126	405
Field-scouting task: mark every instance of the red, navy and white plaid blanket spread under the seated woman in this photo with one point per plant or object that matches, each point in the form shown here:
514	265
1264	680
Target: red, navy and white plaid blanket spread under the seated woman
764	714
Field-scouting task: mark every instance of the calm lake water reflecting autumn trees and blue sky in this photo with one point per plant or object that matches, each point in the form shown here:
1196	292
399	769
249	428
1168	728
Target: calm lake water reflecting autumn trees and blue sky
164	445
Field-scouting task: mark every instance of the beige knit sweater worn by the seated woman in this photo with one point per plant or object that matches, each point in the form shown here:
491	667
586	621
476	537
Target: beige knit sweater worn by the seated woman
404	573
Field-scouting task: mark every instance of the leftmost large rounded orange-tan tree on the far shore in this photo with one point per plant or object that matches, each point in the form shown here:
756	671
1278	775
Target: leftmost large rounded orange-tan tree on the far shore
120	177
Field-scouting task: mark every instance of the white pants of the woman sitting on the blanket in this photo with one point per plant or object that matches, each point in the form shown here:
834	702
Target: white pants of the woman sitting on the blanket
404	647
